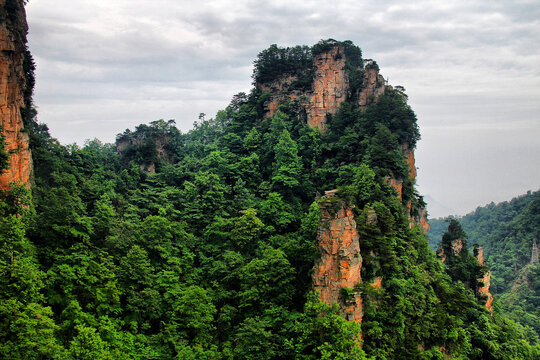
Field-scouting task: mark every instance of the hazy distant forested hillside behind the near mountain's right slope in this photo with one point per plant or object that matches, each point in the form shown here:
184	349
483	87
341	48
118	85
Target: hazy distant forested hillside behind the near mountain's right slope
508	232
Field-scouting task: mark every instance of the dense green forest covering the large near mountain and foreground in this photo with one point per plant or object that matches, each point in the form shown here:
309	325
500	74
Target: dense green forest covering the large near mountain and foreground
200	245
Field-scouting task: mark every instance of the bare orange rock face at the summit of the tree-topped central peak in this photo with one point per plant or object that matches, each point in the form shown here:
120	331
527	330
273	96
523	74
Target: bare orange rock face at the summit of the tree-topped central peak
330	87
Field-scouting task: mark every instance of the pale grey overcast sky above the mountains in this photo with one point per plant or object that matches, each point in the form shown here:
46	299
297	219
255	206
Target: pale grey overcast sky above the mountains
471	70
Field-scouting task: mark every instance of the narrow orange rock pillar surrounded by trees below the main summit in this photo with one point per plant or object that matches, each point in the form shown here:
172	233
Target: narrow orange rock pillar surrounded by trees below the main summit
338	270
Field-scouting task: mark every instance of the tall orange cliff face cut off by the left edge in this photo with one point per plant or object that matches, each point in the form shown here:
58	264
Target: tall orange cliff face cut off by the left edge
13	30
